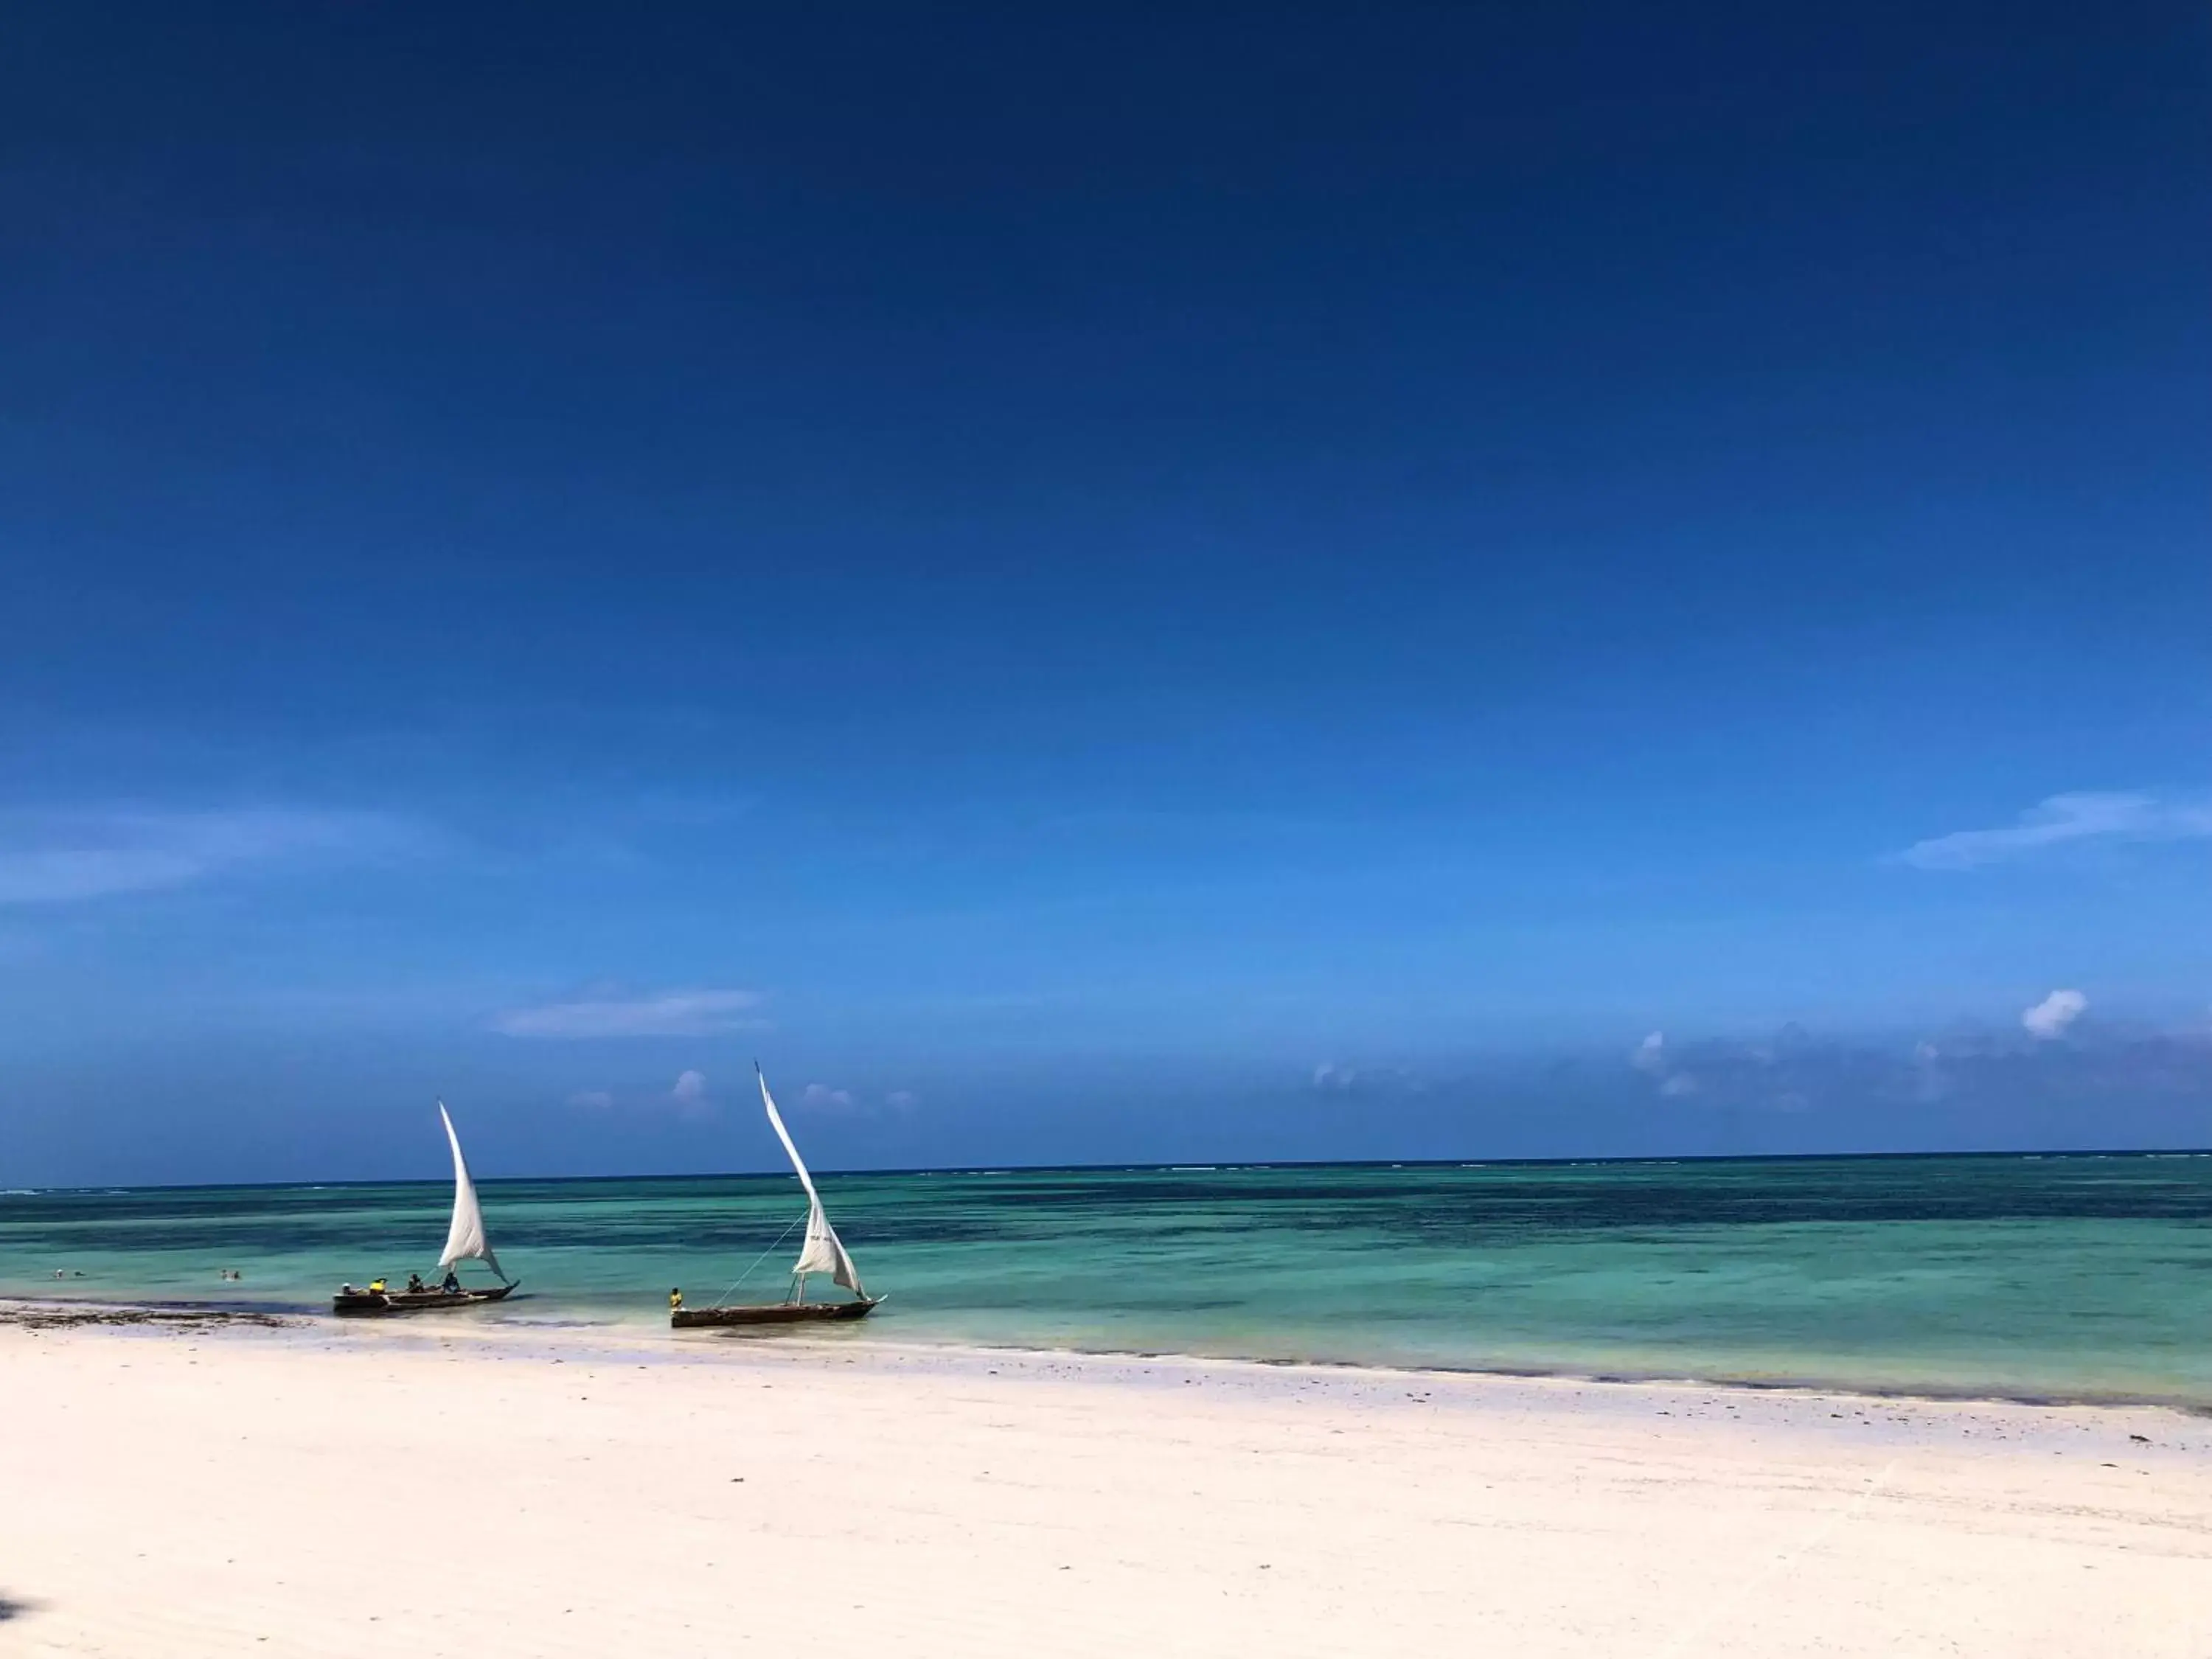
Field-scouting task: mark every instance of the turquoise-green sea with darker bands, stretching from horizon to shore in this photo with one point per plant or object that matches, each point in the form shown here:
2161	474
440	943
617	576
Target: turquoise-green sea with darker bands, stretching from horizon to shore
2056	1277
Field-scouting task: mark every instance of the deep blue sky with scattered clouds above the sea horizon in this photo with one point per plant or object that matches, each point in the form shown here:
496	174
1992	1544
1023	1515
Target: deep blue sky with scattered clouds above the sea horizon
1100	583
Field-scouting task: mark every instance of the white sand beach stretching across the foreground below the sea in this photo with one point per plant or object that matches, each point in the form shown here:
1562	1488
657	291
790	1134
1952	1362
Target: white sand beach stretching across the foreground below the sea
508	1492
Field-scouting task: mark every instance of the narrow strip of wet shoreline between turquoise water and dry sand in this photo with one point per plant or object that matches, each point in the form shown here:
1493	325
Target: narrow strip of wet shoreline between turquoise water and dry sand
634	1337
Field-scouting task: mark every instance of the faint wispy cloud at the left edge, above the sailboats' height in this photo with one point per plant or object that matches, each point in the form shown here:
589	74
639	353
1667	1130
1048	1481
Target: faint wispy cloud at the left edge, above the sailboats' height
72	857
